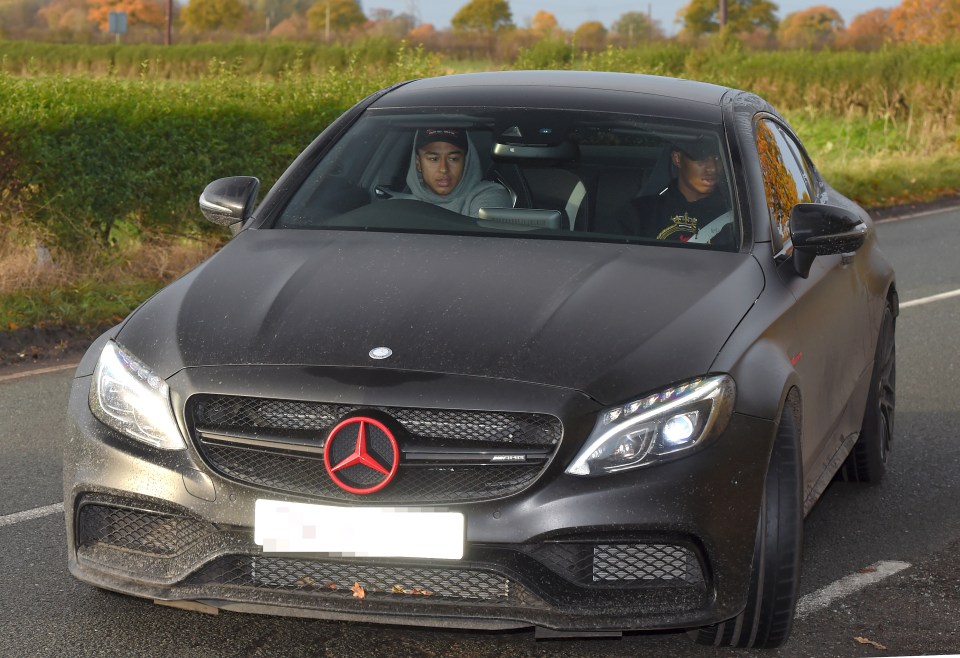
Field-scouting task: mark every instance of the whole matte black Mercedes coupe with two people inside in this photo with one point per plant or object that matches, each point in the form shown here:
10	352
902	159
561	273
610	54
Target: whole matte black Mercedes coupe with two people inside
588	378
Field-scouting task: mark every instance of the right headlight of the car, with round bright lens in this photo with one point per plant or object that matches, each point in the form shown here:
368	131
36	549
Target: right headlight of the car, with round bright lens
657	427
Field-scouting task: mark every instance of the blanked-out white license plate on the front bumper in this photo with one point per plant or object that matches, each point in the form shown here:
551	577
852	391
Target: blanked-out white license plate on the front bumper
357	531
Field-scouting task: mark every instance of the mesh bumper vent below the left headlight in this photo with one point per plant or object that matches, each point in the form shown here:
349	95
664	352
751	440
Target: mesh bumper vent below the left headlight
143	531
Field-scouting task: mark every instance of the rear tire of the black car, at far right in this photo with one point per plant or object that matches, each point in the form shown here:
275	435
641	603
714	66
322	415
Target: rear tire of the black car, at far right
867	462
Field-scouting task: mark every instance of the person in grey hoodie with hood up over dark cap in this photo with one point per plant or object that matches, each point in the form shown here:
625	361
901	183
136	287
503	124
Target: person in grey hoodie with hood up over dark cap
445	171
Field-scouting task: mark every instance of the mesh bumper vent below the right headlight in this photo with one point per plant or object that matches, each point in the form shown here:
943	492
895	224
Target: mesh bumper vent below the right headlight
620	565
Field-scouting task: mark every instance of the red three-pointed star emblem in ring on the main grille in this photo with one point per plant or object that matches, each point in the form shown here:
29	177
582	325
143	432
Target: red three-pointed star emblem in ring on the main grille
359	462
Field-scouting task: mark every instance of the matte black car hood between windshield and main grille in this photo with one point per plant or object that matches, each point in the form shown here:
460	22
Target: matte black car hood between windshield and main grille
610	320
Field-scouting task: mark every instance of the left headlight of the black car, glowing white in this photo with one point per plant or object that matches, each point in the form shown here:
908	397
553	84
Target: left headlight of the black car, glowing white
132	399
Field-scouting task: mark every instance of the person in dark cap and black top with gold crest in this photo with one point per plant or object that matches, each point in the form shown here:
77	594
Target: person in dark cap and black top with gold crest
689	207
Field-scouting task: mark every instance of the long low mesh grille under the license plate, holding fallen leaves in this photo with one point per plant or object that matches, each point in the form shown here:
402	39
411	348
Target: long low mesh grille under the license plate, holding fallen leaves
342	580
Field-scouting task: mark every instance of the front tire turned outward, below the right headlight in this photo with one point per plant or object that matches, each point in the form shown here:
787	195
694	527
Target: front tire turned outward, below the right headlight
775	575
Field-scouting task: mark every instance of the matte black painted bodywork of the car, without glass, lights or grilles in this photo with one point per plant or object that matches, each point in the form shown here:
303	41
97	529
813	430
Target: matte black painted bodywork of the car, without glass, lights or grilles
507	323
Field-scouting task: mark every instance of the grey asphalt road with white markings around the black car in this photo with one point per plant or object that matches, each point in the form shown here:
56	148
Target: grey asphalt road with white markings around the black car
909	525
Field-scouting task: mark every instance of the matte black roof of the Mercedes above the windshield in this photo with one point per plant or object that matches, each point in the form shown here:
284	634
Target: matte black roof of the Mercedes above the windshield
580	90
